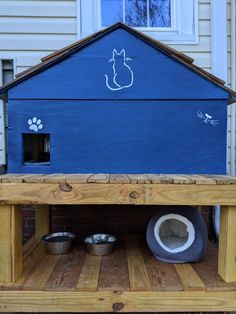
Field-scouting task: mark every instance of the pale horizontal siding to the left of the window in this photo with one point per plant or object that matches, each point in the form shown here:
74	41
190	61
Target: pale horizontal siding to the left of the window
30	30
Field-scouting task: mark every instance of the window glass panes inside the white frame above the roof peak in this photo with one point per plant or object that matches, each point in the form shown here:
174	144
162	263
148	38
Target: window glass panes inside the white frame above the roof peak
136	13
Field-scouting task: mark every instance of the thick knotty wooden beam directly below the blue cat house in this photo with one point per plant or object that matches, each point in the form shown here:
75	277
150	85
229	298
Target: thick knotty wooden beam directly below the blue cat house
92	193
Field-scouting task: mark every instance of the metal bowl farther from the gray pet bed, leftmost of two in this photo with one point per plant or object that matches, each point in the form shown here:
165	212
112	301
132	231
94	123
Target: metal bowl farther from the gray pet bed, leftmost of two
58	242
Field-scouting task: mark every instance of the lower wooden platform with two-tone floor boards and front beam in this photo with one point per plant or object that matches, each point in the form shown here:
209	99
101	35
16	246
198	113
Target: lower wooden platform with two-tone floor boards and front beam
129	279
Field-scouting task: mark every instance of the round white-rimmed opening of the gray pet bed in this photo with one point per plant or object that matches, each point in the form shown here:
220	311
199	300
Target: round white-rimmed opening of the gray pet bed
174	233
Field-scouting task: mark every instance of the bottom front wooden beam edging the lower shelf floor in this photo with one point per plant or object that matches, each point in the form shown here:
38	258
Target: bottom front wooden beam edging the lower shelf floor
33	301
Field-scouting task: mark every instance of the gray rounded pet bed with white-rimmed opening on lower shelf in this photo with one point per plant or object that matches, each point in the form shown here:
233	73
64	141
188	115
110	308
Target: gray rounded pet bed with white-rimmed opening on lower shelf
177	234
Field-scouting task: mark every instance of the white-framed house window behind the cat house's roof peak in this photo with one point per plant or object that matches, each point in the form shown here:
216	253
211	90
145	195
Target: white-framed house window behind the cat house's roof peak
171	21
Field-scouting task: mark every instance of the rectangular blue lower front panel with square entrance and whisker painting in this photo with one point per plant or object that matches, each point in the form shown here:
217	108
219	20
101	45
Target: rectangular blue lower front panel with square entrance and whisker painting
123	136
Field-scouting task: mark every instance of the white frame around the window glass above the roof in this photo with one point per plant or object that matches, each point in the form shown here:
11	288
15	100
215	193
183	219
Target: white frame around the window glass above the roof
184	22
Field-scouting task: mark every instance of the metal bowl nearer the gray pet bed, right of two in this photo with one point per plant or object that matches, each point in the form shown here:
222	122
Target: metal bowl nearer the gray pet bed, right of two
100	244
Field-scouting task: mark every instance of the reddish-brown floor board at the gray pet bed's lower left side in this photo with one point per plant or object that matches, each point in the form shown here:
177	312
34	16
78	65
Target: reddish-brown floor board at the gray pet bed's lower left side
163	276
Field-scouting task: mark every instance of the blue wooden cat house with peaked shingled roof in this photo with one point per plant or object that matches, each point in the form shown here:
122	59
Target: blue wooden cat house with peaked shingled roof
117	102
